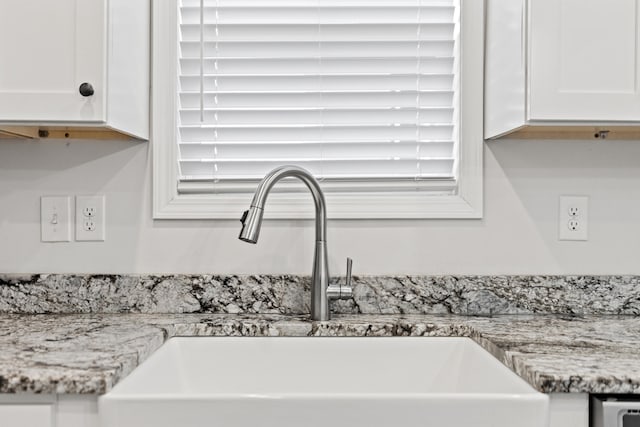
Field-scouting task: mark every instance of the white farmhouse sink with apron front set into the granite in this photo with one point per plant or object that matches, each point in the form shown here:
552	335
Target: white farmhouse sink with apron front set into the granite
322	382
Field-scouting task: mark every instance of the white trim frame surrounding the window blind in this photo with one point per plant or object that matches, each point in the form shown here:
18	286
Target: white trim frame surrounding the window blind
168	204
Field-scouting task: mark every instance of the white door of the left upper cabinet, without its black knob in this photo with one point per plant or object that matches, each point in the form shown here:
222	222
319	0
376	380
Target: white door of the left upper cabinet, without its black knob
47	50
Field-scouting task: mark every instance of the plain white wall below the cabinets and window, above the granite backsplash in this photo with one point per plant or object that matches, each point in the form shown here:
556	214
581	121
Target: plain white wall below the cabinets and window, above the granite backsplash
518	234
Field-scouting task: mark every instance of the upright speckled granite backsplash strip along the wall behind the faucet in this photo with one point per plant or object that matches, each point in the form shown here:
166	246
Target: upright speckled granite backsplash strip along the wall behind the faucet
286	294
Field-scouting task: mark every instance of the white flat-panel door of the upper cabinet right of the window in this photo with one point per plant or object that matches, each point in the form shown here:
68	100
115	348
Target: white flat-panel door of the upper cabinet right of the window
584	60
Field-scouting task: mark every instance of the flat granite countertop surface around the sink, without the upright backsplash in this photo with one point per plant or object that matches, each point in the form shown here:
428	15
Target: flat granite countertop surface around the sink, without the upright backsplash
90	353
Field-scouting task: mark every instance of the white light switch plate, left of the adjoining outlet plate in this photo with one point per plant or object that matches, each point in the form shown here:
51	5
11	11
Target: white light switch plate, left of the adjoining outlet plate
55	221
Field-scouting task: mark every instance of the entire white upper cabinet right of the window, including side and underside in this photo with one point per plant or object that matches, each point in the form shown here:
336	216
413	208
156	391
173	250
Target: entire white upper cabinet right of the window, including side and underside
562	68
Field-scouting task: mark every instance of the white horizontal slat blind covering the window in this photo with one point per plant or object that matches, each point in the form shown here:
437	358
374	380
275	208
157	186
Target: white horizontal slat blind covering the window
356	91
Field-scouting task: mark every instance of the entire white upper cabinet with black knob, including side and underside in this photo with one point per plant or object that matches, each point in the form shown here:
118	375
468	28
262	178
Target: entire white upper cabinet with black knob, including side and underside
80	66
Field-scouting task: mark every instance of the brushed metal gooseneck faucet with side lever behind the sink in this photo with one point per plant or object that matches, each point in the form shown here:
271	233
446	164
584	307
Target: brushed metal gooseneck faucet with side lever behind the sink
251	220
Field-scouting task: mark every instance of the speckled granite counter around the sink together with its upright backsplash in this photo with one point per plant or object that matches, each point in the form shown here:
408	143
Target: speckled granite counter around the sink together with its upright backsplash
83	333
